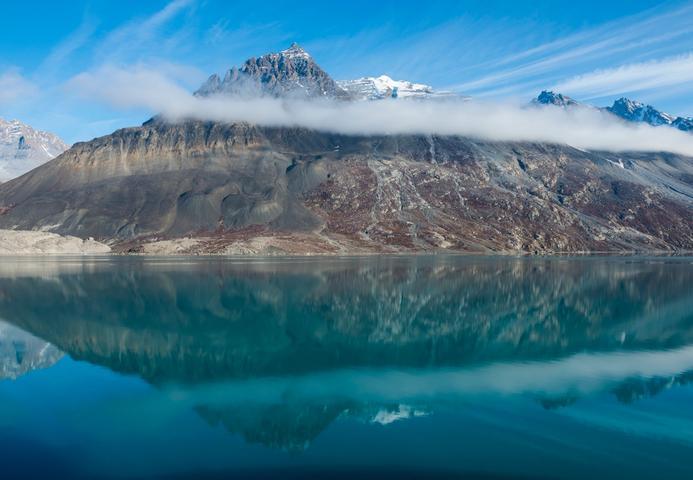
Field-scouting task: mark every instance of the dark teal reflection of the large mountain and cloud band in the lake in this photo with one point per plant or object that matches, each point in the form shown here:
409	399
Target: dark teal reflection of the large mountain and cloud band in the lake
278	350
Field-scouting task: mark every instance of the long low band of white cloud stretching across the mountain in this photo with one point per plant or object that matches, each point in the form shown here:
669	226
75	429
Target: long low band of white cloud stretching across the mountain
139	87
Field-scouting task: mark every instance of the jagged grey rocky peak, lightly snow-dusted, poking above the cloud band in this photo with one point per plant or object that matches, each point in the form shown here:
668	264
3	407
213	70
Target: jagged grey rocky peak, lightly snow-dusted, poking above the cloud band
291	72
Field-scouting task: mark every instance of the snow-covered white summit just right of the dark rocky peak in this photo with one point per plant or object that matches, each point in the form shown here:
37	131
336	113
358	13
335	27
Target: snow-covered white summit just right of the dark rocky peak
378	88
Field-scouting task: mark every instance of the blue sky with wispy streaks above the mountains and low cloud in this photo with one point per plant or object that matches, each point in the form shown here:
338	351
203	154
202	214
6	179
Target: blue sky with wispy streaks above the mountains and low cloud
593	50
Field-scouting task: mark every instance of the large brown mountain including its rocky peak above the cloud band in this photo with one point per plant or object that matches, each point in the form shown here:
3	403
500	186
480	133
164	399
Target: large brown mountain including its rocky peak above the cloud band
206	187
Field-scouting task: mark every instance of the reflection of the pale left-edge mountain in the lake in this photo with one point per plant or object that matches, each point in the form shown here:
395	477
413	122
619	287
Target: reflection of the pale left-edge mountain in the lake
21	352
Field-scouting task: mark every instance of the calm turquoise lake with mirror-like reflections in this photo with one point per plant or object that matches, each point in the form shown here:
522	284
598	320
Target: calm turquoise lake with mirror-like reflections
434	367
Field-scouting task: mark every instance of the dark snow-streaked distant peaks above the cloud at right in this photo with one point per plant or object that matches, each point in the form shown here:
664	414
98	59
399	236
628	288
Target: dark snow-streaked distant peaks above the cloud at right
624	108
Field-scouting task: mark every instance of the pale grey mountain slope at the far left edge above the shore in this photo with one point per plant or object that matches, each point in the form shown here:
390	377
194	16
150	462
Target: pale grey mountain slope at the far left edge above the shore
23	148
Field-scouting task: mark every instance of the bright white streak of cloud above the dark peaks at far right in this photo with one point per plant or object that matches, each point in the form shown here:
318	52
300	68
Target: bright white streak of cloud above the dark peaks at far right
633	77
